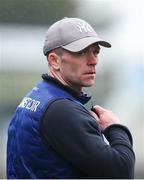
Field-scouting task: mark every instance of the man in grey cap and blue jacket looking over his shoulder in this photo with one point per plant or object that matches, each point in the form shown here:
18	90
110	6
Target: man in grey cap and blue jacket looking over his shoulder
52	134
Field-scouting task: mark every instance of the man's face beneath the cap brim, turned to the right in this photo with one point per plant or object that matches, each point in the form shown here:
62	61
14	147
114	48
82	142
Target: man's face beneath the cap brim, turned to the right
79	69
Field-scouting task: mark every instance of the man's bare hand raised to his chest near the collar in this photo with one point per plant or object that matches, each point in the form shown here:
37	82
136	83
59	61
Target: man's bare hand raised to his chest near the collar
104	117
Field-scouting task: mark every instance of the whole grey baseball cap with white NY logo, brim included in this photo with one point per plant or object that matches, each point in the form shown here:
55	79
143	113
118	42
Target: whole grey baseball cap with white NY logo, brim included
72	34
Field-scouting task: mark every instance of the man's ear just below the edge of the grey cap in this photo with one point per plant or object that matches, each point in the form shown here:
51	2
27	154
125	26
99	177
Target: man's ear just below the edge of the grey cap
53	60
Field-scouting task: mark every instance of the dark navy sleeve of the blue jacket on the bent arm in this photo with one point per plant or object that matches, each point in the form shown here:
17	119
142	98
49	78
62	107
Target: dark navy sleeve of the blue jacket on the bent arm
74	133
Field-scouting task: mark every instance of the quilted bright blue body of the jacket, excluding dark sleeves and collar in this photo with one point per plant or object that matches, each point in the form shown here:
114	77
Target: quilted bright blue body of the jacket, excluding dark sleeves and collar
27	154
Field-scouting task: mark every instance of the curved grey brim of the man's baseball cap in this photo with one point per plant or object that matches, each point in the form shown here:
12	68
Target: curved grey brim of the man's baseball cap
81	44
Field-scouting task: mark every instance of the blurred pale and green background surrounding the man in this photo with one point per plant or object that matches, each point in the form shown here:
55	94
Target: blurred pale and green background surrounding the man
120	74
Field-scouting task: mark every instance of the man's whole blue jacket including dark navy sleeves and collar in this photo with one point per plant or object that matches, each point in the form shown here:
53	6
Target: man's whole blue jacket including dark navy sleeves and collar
68	143
